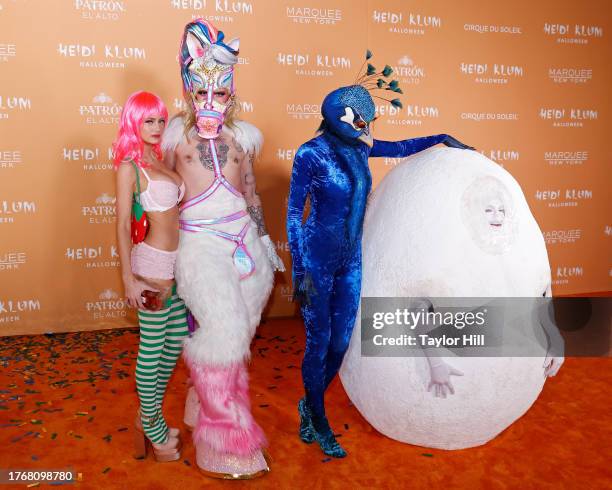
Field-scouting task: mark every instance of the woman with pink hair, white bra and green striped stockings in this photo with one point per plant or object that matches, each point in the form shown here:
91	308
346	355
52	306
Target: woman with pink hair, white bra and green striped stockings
148	266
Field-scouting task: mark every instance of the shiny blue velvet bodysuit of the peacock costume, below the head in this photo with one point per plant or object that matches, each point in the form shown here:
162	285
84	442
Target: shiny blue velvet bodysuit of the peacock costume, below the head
326	249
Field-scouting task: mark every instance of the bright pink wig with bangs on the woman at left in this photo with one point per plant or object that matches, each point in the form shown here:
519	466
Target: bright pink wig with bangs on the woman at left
129	144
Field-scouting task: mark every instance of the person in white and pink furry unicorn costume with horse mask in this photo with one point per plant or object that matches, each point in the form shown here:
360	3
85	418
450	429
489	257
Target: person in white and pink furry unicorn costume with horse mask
224	269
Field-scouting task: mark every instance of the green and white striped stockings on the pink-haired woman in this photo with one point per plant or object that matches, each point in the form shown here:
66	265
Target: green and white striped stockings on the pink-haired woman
161	340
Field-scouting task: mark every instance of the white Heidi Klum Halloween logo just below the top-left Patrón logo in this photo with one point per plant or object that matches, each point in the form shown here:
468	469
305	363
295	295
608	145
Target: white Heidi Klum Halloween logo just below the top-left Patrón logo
102	56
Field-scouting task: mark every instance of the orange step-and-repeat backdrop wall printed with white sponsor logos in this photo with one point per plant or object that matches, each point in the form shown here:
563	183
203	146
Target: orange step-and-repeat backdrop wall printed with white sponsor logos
527	83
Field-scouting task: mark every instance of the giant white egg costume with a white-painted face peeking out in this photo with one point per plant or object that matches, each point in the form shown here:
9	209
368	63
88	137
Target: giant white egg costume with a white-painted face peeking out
447	223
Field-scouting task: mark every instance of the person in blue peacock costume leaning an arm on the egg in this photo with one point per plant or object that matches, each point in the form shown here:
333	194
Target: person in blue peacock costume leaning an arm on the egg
332	169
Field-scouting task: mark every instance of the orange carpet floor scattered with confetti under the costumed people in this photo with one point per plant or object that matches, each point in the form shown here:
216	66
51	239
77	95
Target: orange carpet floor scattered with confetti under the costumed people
68	400
